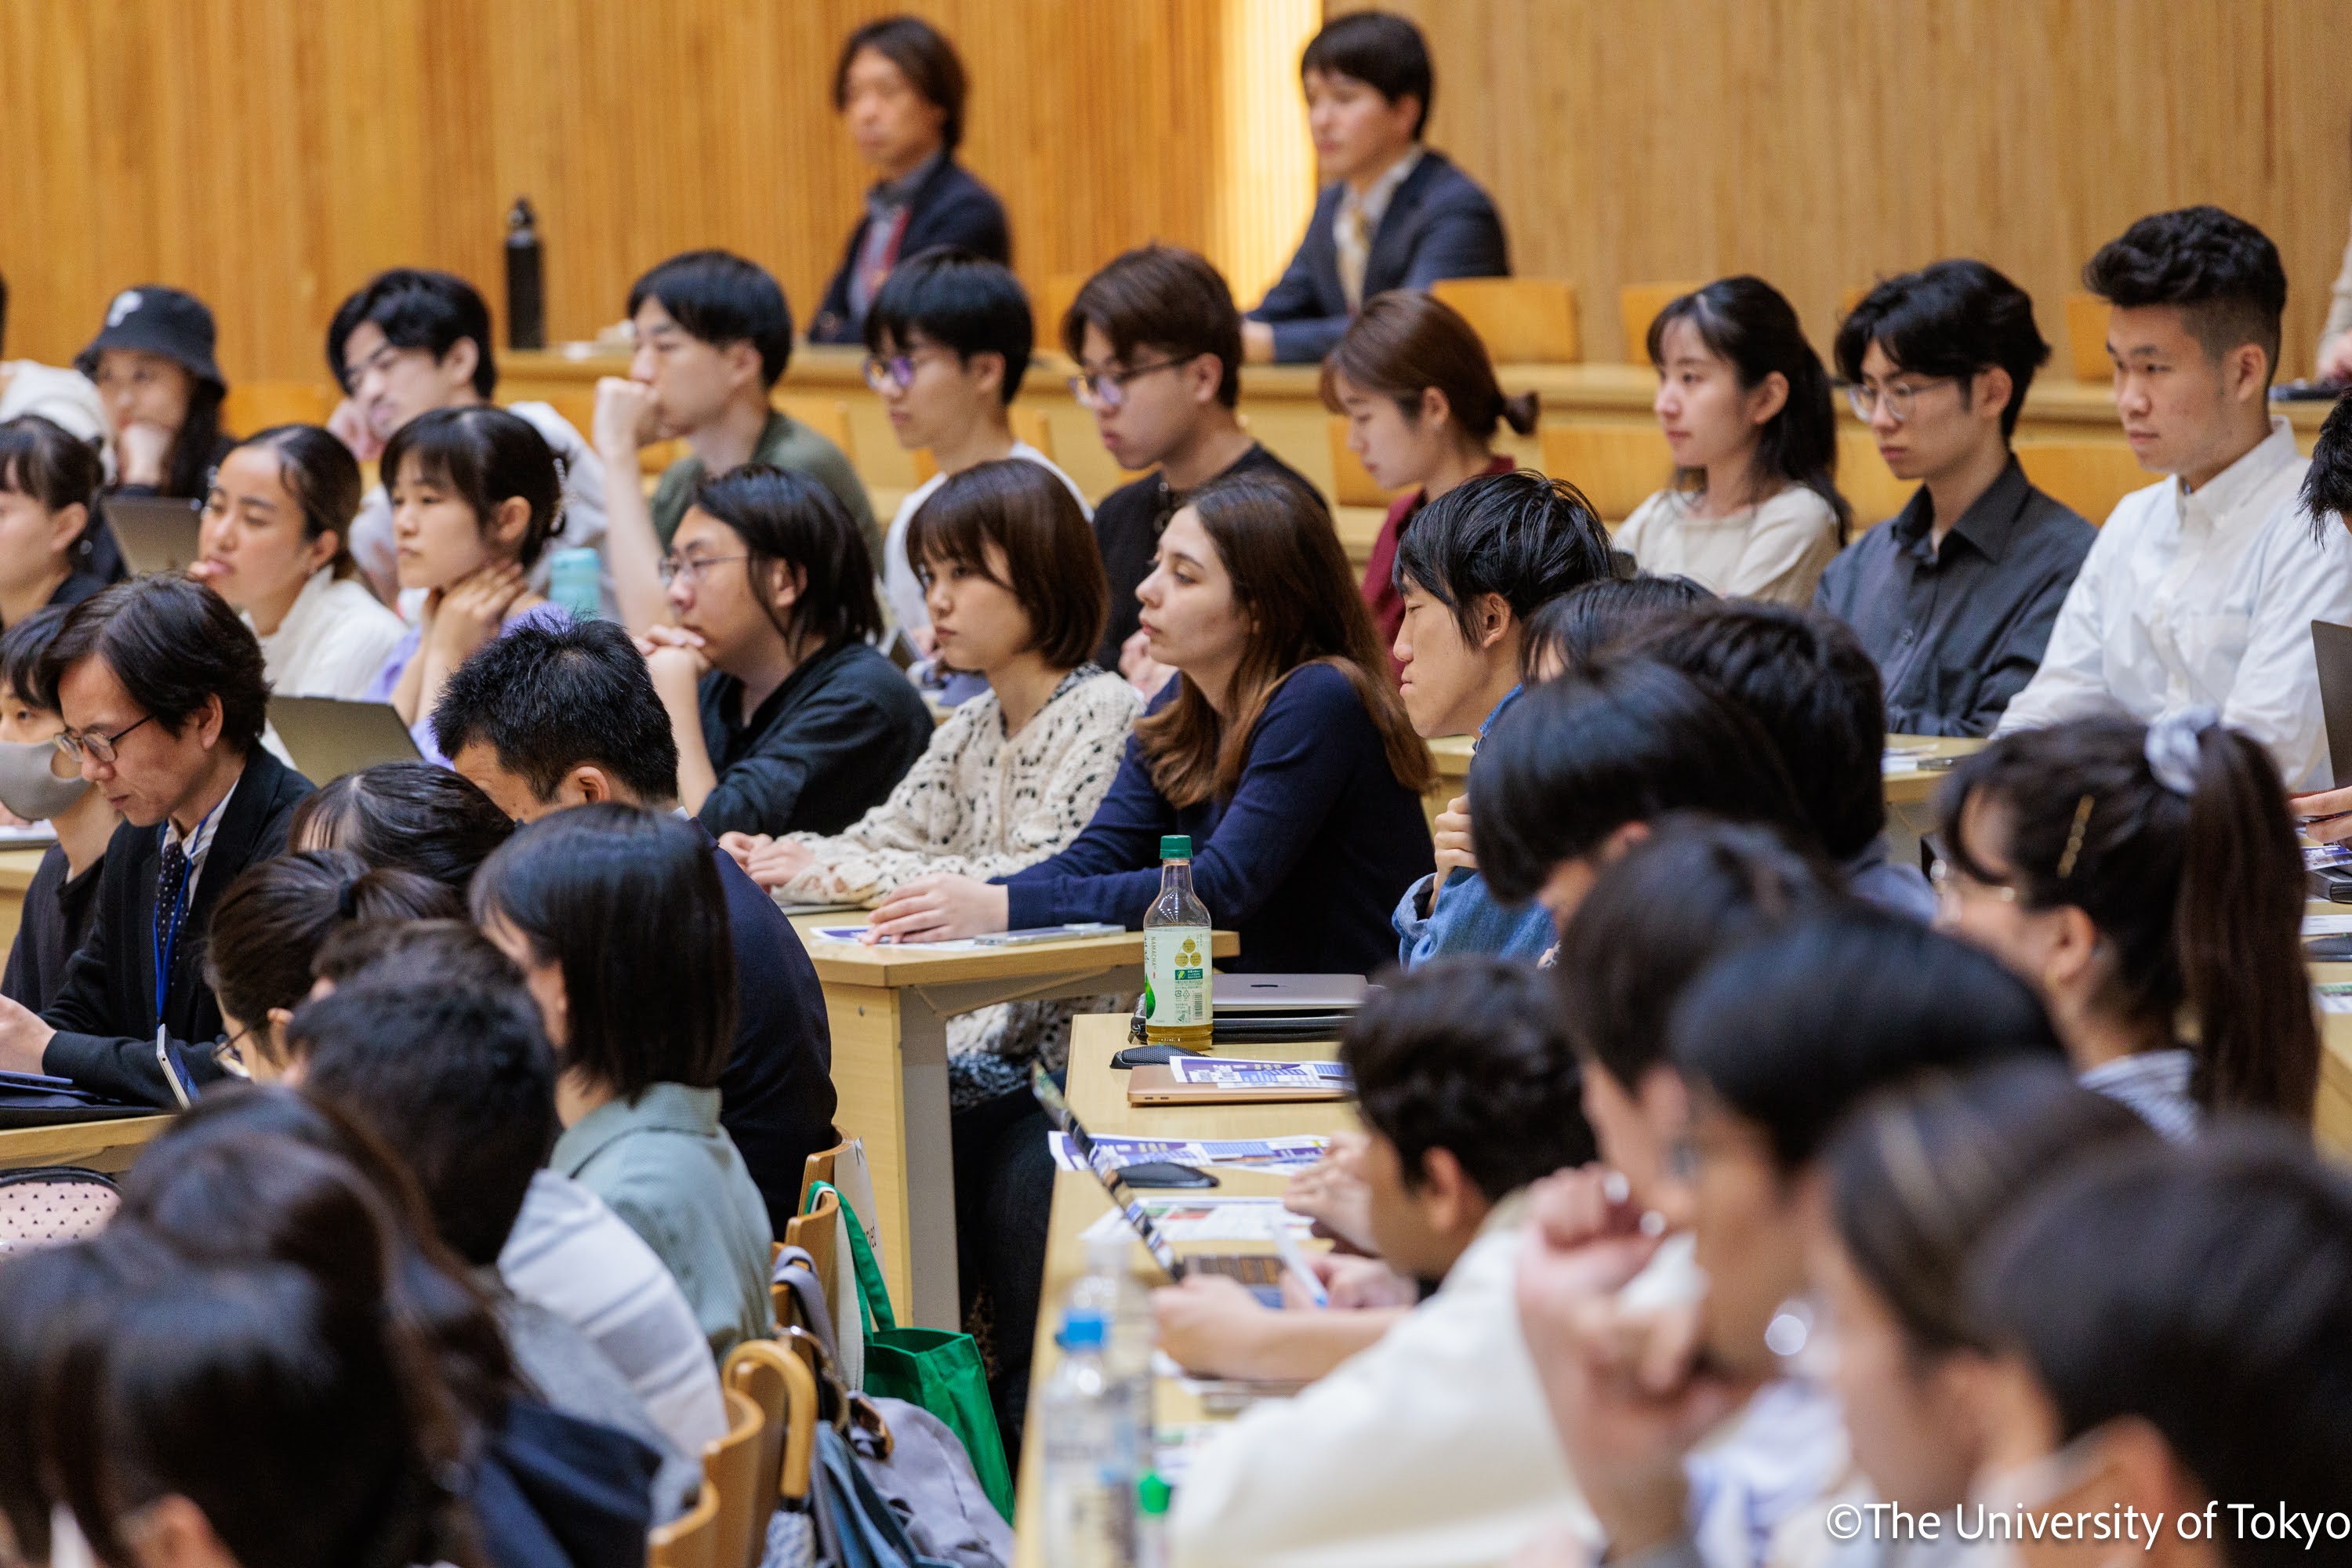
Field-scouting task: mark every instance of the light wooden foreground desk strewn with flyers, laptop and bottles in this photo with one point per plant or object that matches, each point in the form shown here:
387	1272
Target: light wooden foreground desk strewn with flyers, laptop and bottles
1100	1099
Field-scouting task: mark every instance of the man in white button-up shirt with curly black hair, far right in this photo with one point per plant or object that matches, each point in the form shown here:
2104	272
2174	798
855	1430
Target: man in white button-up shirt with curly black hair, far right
2203	589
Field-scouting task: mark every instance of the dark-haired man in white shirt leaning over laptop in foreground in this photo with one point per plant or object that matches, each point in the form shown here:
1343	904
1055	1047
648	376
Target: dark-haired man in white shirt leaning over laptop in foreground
1436	1445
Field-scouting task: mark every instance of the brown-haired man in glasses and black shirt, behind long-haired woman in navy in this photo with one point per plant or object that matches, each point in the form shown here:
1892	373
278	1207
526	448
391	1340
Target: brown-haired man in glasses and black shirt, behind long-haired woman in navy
1158	349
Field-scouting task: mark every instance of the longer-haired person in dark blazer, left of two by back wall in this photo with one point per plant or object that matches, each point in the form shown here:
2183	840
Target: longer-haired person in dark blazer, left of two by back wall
902	93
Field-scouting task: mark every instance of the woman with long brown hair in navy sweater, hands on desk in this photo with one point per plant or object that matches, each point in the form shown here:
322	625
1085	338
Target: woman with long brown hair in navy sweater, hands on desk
1281	749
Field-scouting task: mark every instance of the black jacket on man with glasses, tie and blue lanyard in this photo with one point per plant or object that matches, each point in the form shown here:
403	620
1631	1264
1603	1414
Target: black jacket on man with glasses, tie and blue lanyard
105	1017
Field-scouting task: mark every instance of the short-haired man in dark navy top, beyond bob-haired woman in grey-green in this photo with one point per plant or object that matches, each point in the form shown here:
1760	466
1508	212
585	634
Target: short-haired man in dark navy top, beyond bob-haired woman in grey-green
552	718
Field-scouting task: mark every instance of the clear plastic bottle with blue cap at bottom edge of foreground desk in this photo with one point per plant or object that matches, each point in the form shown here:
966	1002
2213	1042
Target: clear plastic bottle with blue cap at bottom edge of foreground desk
1090	1473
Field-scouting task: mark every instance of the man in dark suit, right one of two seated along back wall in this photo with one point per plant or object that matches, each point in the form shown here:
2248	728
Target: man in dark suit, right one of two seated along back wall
1396	215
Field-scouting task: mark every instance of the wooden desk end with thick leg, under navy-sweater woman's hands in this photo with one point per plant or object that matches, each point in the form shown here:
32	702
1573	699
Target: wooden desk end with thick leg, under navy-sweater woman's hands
890	1071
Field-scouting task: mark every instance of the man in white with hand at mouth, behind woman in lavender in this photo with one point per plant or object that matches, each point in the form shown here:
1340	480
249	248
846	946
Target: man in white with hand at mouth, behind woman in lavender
415	342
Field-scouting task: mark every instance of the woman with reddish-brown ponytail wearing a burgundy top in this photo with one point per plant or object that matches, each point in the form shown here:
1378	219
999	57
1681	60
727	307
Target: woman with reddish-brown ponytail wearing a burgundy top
1422	406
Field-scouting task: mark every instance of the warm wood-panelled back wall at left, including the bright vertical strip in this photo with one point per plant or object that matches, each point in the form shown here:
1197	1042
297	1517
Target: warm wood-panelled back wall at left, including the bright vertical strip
272	154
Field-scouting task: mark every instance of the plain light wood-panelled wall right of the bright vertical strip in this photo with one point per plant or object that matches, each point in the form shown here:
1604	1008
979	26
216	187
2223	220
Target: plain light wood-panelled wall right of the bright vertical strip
1829	142
